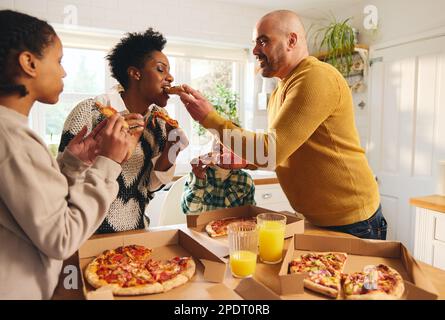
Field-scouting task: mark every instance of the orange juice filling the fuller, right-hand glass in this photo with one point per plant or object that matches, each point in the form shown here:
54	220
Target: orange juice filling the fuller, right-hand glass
271	241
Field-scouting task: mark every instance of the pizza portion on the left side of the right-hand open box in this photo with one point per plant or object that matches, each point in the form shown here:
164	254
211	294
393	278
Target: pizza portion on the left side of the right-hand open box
324	271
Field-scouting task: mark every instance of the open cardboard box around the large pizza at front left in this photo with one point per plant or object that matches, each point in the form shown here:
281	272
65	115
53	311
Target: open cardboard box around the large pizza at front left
206	284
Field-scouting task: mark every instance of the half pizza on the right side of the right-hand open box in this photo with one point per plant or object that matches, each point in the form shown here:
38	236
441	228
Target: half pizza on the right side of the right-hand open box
378	282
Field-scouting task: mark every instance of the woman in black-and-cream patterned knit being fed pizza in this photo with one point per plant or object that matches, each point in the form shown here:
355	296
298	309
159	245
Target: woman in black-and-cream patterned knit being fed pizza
143	72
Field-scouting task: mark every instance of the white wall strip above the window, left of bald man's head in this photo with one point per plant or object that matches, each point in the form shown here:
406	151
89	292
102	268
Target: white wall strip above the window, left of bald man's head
186	19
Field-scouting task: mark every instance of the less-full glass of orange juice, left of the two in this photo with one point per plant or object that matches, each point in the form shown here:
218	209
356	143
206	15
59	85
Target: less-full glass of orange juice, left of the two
243	248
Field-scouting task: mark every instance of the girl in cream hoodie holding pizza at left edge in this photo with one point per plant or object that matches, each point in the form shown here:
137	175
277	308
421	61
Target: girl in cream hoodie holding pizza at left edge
47	209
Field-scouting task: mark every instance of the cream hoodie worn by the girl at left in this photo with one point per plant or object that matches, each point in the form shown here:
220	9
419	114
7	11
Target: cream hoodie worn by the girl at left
46	211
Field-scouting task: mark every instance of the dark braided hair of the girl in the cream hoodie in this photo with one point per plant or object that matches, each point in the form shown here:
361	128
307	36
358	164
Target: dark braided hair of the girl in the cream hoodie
20	32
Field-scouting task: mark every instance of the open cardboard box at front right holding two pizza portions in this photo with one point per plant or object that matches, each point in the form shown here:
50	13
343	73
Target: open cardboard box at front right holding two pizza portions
360	254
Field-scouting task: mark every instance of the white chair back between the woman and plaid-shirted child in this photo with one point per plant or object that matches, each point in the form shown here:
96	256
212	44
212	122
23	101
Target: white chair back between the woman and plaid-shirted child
171	211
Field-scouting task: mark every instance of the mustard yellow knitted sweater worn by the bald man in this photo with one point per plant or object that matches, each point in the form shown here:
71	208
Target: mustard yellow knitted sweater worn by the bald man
319	162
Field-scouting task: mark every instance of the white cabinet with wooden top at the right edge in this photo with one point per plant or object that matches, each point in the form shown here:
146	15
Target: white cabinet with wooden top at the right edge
429	235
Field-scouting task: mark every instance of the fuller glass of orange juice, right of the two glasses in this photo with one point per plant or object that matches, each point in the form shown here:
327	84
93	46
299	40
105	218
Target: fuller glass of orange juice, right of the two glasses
271	228
